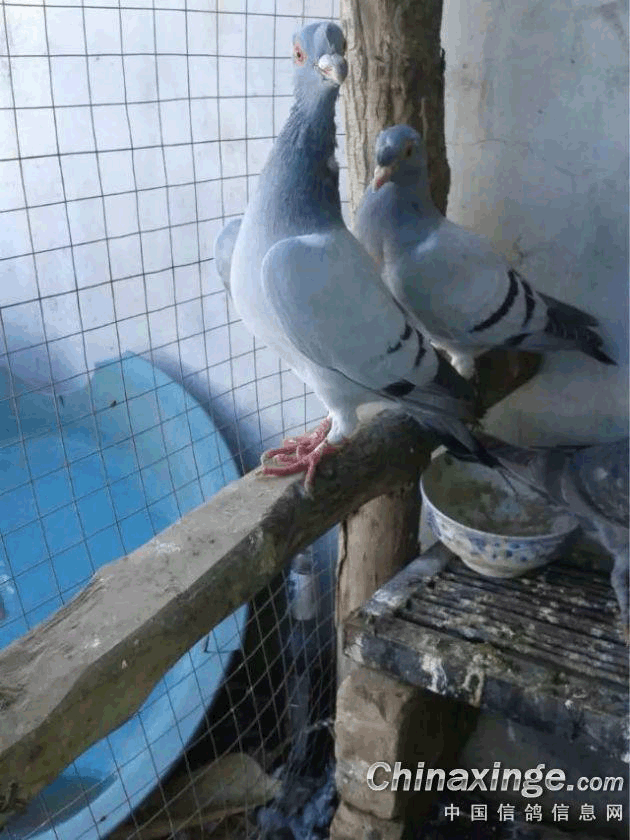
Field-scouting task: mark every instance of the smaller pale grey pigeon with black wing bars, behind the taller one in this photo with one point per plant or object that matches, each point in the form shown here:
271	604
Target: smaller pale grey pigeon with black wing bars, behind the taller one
451	280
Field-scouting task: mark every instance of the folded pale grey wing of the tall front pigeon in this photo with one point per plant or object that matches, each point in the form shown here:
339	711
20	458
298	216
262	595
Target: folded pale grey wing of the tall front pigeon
325	295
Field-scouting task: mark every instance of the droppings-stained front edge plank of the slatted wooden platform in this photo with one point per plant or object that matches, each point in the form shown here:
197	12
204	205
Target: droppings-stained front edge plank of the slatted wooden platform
570	706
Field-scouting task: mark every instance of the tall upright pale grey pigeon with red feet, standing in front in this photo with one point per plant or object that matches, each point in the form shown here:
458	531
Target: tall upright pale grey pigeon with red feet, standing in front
305	287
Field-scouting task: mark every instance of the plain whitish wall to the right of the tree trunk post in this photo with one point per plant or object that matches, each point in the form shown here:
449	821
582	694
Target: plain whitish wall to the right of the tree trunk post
537	127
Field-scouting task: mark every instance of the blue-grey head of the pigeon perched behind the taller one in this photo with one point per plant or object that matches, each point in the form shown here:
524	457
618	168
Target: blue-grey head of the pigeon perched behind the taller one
400	157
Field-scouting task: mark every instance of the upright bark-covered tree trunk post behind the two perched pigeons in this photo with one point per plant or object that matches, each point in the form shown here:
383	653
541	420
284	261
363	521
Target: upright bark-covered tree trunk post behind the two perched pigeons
395	75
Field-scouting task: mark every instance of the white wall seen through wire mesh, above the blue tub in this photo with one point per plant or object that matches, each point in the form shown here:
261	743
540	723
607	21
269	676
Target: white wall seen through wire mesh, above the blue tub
128	134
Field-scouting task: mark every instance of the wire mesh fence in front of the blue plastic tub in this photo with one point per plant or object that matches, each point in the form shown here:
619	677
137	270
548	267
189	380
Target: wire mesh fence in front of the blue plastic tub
130	392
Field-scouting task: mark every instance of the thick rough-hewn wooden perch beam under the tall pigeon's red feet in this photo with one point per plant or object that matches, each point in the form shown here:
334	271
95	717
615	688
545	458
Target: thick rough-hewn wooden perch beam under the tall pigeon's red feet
139	614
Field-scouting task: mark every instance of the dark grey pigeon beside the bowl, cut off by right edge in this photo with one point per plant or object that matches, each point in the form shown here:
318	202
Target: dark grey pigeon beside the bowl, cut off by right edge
592	483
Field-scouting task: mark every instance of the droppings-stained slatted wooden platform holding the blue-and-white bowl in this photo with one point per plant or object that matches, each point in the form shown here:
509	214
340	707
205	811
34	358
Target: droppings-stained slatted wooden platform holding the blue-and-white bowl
553	661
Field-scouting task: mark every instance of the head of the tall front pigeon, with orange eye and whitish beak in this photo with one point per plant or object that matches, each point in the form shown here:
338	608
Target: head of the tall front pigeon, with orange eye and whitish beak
318	59
